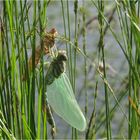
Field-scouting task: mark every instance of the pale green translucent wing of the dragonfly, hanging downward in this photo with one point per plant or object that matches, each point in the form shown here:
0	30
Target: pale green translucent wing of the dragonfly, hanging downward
61	98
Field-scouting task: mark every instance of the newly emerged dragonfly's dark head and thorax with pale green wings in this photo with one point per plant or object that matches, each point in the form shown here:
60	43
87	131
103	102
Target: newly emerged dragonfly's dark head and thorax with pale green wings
60	95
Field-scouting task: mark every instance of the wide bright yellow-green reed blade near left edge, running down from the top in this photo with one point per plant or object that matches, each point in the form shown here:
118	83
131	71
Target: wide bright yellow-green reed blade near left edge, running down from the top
9	8
